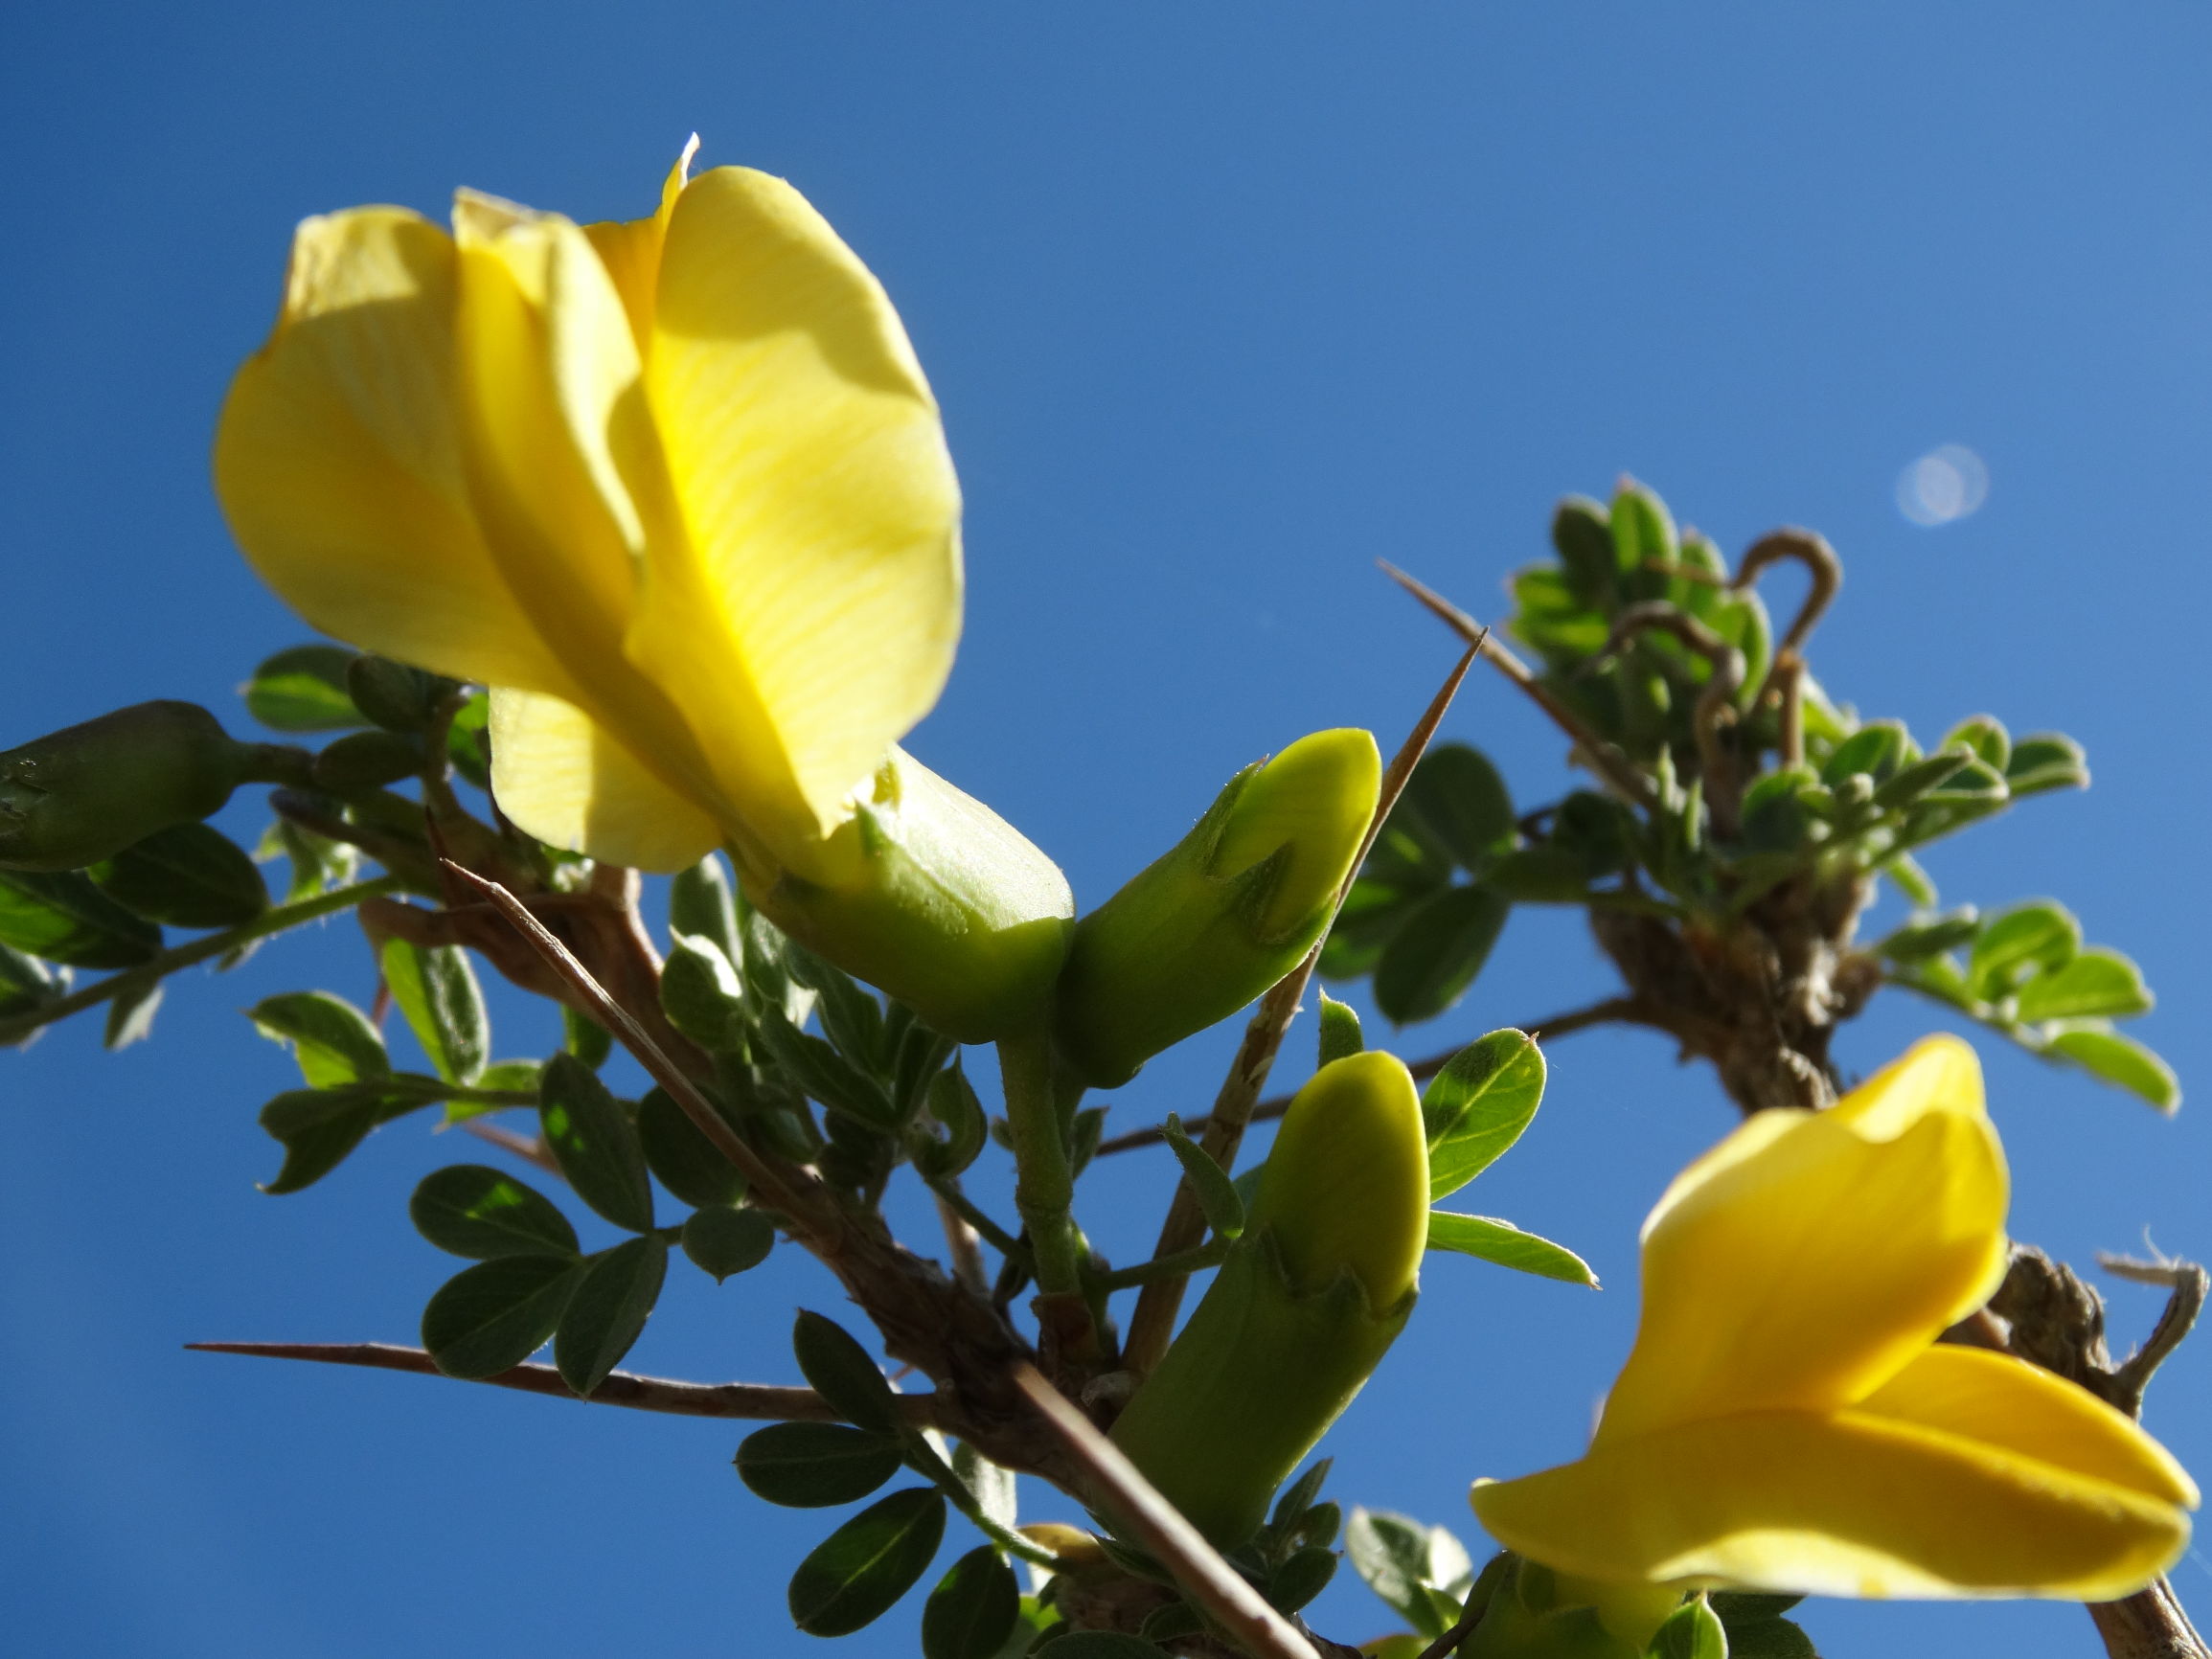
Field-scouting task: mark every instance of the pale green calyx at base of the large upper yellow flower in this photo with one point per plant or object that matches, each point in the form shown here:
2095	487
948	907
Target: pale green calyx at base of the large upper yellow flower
939	904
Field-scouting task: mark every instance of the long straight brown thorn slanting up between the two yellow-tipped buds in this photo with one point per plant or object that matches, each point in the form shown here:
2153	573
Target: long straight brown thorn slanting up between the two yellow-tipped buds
1158	1304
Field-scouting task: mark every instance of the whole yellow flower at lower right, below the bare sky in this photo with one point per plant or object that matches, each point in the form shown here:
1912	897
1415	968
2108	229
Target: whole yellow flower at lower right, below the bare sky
1788	1421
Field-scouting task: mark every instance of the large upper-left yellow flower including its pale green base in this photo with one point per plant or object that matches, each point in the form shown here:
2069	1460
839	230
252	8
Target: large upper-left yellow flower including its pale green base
680	494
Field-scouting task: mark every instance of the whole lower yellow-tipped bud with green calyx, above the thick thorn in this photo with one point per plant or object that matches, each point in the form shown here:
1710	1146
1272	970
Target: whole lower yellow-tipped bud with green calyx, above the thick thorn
1304	1308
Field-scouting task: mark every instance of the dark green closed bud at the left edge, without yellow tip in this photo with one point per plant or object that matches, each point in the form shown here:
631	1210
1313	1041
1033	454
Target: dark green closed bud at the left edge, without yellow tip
85	793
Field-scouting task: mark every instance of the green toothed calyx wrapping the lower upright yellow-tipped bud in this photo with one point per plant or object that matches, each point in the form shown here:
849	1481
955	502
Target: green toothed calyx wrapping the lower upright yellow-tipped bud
1251	1386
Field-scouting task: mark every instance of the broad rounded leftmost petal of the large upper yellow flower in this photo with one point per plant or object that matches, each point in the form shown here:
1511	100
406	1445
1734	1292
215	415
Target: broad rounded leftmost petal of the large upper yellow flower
340	457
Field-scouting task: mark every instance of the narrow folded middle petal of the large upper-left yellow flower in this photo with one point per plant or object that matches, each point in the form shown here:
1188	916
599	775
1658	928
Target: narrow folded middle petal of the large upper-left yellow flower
565	466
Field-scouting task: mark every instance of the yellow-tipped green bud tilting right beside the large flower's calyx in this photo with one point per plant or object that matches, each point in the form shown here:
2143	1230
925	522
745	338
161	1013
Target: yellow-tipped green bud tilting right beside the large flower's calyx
1227	915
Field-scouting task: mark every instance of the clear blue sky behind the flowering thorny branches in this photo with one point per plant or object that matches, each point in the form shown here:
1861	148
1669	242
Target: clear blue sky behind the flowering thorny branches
1222	302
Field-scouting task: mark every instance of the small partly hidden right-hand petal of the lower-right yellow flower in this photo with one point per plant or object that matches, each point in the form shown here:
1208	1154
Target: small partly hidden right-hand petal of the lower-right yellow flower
2027	1412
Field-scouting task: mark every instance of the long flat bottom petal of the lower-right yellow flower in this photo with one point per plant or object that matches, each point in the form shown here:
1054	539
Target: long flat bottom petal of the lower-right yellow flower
1835	1505
